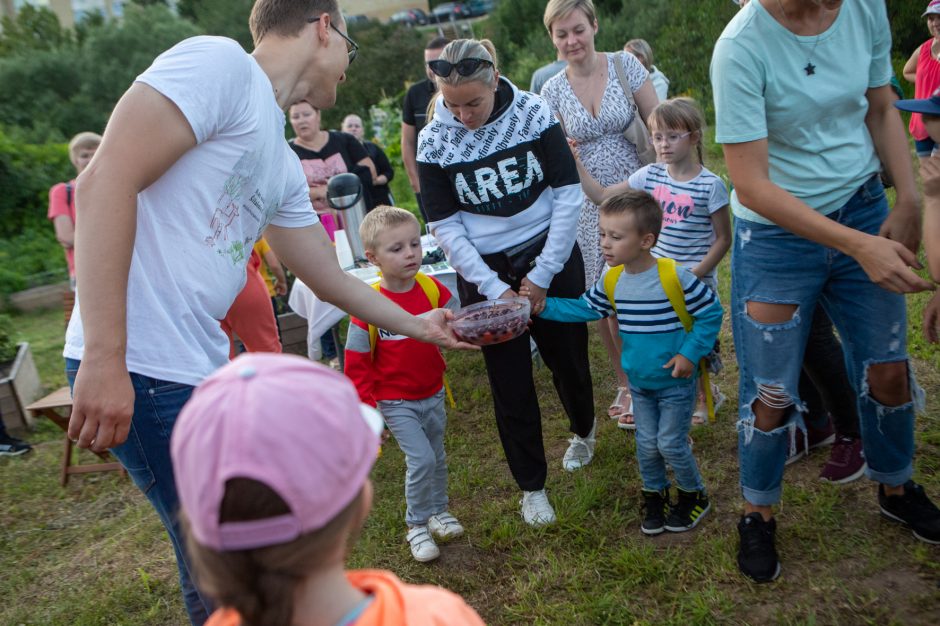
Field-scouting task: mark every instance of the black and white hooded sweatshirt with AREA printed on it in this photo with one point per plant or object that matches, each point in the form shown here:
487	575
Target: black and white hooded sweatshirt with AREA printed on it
489	189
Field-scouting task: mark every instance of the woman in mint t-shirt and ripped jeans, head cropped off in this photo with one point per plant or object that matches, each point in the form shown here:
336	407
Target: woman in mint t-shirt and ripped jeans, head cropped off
804	110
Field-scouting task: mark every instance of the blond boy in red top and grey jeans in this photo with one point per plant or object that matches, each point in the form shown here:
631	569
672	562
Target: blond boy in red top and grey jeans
404	378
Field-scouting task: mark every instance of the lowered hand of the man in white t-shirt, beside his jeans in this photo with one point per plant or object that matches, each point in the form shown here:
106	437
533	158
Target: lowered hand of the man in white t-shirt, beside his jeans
103	405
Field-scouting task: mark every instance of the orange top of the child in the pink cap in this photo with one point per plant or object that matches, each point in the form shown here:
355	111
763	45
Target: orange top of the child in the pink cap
394	603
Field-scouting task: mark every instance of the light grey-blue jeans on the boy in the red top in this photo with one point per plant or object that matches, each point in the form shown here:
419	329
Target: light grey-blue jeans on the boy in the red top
418	427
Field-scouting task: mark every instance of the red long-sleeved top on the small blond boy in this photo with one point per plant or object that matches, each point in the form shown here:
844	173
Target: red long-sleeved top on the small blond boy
402	368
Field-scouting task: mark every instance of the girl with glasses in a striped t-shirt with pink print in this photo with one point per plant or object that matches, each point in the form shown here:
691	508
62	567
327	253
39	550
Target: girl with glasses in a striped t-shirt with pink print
696	229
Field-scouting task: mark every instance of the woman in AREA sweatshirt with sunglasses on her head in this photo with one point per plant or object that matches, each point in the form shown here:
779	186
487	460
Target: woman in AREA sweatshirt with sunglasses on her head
502	195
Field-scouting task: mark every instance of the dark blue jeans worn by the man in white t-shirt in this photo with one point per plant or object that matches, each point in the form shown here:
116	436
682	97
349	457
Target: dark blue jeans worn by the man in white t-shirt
146	457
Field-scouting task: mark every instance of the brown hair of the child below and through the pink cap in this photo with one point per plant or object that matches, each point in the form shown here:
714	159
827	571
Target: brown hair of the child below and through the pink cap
260	583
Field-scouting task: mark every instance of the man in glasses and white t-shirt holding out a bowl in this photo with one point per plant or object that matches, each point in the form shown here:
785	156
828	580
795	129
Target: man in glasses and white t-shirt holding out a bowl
192	169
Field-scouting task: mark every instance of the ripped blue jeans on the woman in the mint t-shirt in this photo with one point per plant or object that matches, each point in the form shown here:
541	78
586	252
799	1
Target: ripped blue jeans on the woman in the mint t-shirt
772	265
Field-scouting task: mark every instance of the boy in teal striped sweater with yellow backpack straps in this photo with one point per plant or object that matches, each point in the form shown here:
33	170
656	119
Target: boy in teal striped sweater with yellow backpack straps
658	354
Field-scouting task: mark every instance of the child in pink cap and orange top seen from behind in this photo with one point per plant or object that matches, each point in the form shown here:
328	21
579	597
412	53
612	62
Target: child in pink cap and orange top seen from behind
272	457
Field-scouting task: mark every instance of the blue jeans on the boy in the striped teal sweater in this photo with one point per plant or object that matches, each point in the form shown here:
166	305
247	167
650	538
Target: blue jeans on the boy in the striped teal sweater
663	418
